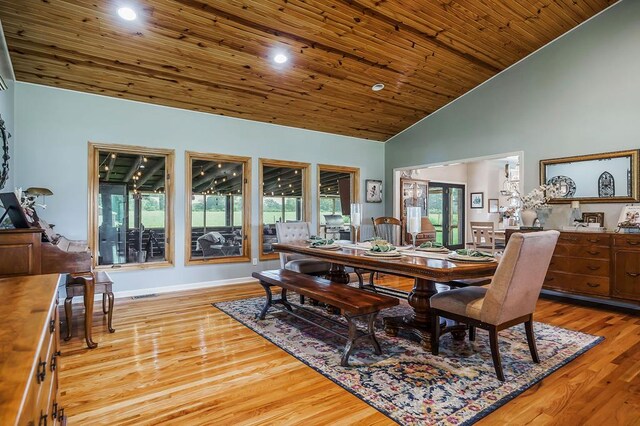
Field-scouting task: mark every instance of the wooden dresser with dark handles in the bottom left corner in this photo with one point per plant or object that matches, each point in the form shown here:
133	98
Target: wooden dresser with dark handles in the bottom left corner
30	342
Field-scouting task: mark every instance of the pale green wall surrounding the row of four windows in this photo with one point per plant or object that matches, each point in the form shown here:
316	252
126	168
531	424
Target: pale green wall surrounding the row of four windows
55	126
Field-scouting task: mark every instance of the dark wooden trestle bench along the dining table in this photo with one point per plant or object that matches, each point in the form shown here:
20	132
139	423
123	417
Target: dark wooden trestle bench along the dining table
352	302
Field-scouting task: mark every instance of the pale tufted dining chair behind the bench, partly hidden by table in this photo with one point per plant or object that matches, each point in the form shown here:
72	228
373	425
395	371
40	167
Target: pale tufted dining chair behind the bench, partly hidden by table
296	231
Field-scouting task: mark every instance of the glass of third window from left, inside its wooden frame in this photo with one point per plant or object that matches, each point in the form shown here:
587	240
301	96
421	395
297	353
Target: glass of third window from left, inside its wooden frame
283	200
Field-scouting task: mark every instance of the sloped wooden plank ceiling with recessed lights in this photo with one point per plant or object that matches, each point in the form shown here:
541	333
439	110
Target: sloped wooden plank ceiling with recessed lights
215	56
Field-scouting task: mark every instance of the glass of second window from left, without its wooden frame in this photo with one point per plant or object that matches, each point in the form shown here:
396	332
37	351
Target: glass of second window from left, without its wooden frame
217	208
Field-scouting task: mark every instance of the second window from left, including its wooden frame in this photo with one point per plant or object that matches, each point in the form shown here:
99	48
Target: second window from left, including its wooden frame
218	211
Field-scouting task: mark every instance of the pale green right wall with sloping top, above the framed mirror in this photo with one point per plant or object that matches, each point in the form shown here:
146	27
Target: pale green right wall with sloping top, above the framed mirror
578	95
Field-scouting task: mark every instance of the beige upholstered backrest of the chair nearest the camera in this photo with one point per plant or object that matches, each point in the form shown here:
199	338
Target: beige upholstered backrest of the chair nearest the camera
516	285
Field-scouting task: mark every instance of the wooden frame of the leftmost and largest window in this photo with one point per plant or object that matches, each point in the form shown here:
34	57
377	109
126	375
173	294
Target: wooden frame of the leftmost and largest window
94	189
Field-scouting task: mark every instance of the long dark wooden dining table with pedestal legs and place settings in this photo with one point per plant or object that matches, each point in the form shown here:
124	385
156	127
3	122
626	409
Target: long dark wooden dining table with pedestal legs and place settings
426	269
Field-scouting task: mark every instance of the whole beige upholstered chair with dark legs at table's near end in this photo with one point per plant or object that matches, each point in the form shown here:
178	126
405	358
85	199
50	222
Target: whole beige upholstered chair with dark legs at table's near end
509	300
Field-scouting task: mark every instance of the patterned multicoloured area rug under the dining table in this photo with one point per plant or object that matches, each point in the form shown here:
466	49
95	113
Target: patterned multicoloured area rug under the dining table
406	382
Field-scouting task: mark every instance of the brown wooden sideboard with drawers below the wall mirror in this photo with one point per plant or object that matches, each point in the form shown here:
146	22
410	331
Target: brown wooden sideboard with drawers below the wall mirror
604	267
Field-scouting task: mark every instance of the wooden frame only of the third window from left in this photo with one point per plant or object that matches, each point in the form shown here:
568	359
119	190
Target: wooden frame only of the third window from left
306	196
